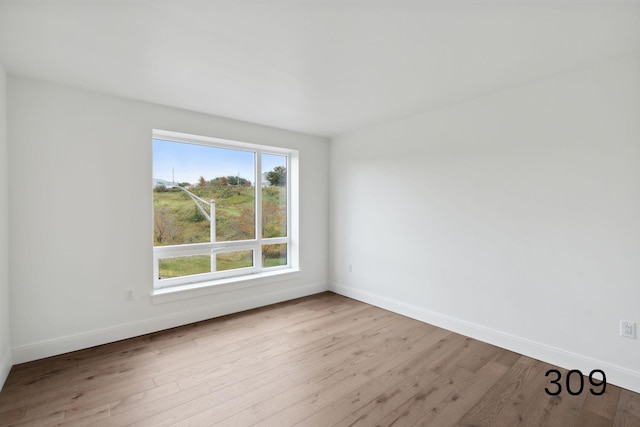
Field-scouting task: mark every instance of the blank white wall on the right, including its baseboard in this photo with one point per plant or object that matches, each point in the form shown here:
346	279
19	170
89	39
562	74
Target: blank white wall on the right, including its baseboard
514	218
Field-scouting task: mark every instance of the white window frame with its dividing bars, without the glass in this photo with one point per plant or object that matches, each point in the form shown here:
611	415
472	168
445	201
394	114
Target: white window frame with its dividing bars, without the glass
257	270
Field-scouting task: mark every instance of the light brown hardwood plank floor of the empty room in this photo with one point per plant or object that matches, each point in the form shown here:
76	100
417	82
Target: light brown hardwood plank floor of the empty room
323	360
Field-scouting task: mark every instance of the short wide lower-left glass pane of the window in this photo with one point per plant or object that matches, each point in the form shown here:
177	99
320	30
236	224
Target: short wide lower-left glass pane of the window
198	264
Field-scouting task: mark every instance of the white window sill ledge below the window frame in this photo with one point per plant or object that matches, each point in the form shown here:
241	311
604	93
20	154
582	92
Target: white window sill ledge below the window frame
193	290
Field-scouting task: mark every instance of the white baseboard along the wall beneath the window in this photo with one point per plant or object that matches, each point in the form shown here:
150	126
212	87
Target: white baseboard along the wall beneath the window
60	345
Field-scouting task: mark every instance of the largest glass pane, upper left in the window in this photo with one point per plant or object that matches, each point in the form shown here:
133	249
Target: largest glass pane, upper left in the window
187	178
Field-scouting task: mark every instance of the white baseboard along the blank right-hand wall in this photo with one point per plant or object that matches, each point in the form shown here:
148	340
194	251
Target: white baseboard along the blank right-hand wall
616	375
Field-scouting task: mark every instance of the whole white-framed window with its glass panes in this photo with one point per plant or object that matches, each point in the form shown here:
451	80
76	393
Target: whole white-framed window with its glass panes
221	209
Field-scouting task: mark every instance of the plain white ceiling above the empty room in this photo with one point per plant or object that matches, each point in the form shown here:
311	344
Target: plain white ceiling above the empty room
320	67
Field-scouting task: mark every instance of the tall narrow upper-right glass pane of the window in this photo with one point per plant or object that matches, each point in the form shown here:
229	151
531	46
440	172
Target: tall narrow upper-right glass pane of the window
274	196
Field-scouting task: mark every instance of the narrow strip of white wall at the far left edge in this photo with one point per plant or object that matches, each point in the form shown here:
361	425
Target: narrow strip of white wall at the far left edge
5	333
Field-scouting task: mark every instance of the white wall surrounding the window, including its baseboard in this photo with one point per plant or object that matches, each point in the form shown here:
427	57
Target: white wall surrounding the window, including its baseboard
81	218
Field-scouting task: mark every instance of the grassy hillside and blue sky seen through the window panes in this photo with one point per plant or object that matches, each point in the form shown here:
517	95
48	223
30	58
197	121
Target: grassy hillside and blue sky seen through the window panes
204	194
